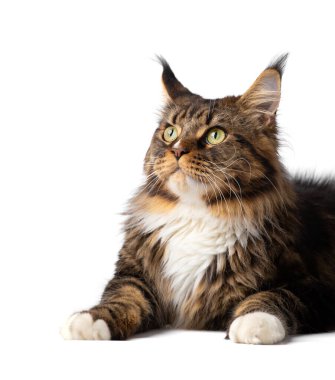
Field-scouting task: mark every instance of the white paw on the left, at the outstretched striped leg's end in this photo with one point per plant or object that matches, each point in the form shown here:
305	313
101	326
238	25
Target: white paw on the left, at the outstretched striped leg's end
80	326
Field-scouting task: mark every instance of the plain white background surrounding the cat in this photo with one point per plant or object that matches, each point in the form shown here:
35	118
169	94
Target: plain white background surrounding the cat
79	91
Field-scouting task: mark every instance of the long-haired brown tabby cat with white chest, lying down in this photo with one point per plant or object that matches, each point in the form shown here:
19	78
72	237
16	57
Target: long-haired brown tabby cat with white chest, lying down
220	236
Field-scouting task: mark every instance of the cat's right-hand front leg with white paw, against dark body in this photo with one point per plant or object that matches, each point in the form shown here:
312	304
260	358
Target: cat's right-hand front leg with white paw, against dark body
268	317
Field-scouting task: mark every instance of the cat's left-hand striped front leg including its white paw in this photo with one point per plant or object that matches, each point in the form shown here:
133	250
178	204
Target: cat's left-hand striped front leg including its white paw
127	306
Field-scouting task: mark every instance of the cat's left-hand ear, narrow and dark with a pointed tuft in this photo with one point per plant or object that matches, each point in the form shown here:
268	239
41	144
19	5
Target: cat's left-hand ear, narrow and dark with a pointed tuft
173	89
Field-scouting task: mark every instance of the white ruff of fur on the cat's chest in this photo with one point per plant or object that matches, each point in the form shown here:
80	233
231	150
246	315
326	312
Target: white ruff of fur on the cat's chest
193	237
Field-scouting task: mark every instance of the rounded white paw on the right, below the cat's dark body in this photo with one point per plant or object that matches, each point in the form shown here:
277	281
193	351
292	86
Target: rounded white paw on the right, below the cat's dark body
257	328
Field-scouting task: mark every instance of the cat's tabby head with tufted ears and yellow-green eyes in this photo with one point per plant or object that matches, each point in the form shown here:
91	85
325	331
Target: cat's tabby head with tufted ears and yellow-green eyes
221	149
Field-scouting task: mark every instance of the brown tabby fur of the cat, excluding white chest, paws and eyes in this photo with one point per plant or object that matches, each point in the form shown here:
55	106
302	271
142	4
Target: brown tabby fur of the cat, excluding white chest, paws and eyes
288	271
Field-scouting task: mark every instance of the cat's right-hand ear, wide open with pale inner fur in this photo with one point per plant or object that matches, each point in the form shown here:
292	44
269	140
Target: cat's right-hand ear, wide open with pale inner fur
264	95
